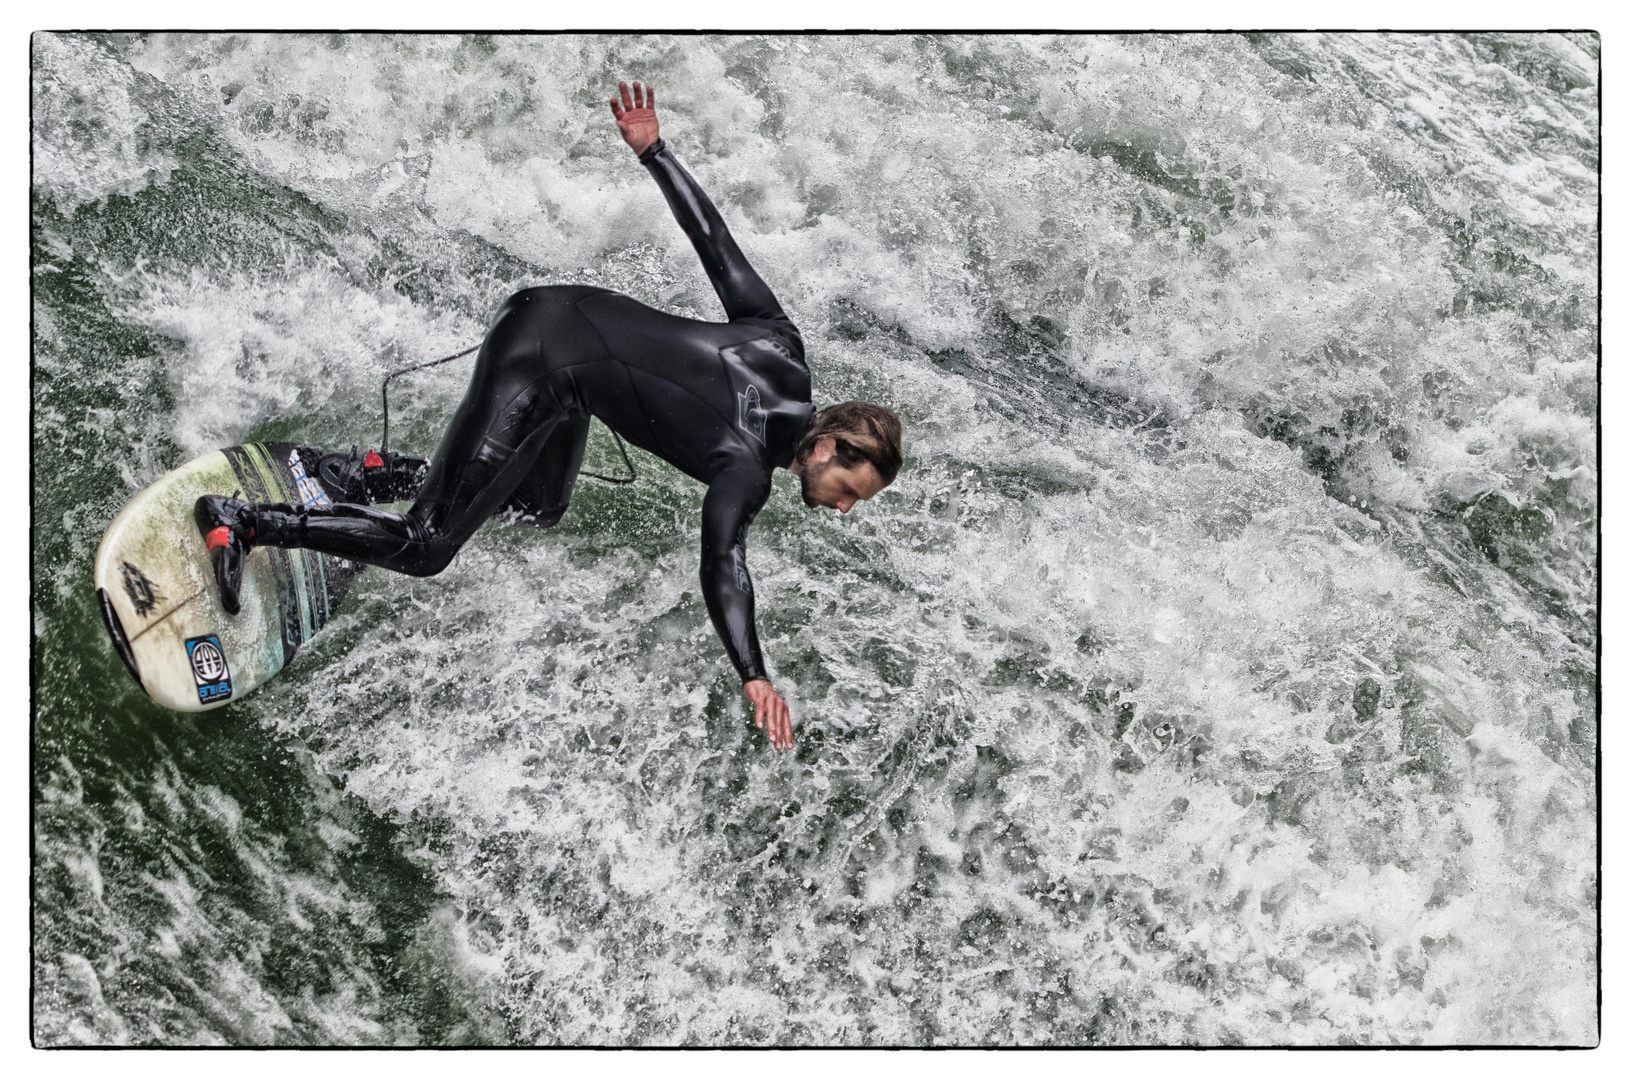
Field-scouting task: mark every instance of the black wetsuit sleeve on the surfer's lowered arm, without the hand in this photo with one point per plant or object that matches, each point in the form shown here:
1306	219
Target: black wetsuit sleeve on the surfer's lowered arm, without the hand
728	510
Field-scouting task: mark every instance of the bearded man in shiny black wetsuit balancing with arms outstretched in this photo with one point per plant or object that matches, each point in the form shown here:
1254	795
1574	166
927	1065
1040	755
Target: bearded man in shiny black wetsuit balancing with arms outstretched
722	402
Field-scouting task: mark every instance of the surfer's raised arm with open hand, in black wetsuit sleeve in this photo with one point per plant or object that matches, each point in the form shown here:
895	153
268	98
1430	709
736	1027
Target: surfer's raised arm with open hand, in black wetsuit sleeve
743	293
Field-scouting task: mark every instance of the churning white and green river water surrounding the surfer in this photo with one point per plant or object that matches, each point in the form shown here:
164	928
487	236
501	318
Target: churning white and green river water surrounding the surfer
1219	671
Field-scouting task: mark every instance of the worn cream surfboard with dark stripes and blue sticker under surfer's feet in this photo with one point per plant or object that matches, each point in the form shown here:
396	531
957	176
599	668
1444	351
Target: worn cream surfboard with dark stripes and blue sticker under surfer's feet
159	595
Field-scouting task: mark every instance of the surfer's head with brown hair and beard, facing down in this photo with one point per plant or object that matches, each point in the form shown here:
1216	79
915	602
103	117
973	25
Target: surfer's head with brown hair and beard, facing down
851	453
